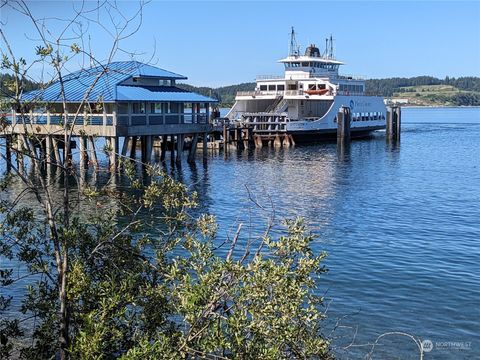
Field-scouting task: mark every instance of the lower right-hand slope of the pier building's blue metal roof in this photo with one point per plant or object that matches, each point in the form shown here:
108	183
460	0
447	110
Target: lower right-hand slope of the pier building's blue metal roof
159	93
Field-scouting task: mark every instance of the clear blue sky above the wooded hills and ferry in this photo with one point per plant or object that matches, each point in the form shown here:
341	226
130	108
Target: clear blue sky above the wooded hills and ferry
229	42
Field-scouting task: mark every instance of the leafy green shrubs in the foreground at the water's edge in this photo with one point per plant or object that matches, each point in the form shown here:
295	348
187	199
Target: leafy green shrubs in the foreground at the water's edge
153	286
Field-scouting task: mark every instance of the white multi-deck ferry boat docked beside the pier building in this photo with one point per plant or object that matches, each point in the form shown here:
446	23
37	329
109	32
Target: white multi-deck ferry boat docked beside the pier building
305	101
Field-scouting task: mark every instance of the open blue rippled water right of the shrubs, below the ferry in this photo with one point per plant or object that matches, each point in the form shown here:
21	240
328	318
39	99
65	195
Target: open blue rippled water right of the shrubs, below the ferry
401	225
